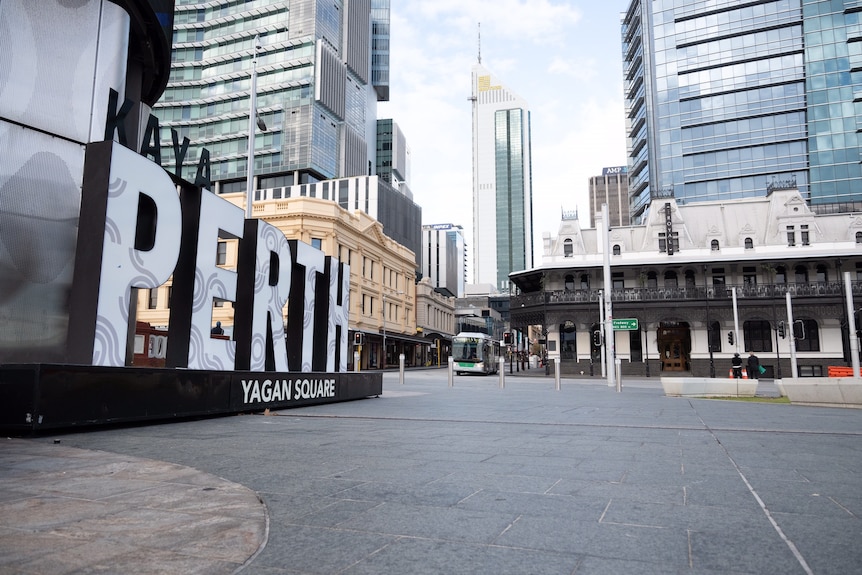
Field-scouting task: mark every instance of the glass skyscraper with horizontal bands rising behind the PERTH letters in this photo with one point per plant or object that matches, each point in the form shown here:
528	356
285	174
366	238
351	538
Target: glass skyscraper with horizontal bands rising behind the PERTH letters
315	91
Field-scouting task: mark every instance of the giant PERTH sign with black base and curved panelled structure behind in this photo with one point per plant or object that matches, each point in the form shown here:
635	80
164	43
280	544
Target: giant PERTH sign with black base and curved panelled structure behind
88	216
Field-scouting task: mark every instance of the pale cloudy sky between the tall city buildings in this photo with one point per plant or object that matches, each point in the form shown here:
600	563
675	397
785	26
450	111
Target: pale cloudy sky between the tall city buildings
563	57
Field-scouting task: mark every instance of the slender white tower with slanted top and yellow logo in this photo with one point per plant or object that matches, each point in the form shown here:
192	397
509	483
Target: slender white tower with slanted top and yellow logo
502	191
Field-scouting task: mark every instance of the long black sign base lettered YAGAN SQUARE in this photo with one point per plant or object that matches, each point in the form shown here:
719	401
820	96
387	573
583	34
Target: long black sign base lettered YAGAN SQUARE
35	397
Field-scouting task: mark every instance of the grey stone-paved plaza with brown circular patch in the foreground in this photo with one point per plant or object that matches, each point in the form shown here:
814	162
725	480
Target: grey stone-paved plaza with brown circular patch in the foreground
435	479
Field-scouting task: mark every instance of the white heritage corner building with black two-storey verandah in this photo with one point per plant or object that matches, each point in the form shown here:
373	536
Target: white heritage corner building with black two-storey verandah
676	274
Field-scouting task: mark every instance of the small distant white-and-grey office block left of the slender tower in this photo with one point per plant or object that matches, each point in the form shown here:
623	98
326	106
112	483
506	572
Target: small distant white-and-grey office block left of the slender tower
443	258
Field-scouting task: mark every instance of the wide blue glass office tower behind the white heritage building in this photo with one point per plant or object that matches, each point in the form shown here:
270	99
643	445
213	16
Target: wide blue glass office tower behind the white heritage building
728	99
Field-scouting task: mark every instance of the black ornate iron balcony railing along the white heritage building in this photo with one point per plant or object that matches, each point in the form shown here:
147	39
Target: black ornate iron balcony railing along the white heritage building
690	293
